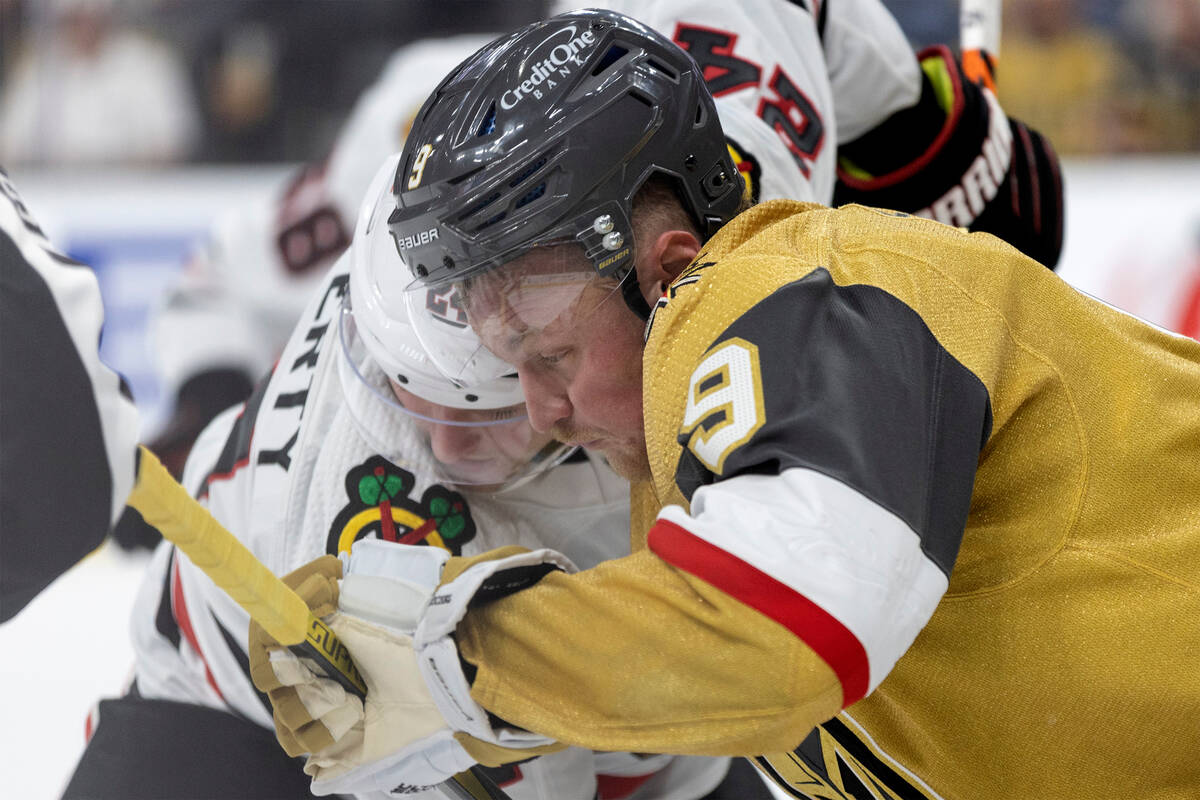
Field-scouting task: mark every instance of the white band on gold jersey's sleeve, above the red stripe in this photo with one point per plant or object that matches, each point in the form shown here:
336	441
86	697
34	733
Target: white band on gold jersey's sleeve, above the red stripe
830	546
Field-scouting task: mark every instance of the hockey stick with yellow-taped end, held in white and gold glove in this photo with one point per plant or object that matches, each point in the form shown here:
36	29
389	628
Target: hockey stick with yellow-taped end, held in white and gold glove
167	507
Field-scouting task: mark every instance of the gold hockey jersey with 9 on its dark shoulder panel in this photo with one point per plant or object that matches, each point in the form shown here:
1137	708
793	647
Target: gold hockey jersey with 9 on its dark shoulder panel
919	494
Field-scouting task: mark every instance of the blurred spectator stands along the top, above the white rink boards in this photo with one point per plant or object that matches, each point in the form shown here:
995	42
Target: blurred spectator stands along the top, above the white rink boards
271	81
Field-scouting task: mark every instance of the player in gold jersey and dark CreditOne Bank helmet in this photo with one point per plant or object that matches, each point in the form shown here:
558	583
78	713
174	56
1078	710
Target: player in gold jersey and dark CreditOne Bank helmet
914	519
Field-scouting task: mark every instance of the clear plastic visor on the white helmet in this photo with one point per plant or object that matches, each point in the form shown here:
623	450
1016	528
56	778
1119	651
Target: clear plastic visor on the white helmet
493	449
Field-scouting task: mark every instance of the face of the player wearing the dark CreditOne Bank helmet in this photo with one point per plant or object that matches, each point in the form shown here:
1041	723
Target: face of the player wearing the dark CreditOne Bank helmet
578	351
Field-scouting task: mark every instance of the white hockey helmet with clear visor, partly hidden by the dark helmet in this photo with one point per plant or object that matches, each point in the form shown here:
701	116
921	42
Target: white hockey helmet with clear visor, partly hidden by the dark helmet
475	426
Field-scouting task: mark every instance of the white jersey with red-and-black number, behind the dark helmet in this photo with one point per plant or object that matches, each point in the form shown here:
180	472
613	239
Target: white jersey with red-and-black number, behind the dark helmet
793	80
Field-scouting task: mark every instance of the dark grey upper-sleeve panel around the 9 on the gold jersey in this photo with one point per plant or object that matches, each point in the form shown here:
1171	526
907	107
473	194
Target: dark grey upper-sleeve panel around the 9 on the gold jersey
856	387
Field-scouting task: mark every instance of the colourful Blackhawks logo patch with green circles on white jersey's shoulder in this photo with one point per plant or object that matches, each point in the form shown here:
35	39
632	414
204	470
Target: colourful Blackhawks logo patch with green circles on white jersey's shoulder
380	504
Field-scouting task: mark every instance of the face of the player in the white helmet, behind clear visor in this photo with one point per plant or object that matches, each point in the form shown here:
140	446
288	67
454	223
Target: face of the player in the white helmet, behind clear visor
479	455
